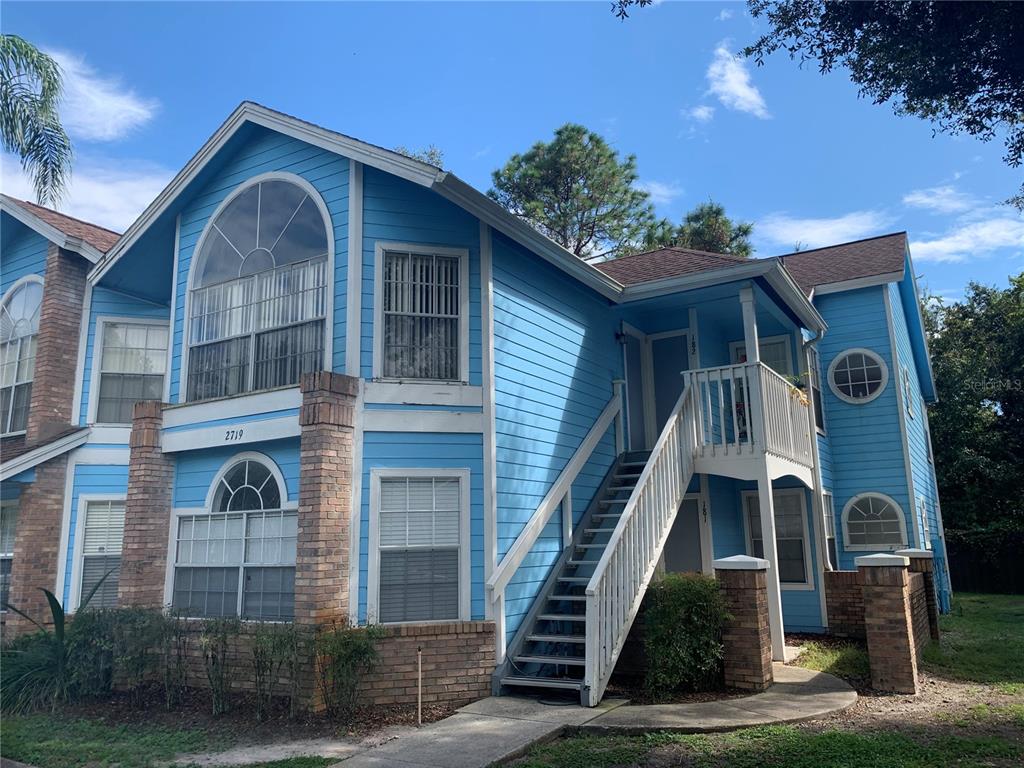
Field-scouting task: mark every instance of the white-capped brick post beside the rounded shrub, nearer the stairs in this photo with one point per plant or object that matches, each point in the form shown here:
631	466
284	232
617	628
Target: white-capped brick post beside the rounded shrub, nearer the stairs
744	582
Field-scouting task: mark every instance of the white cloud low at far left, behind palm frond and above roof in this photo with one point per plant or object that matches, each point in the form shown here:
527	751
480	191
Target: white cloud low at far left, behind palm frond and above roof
108	193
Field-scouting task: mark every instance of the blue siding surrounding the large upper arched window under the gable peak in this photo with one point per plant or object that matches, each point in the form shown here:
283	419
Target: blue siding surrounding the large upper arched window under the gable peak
265	153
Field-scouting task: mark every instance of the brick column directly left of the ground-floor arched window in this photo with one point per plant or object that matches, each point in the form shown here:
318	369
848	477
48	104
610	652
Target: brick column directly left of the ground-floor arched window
148	511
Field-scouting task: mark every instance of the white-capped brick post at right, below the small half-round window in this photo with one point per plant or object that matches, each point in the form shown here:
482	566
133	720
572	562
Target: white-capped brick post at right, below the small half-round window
888	623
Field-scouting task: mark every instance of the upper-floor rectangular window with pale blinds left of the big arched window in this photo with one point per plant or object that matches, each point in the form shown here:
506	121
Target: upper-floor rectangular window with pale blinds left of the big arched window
133	364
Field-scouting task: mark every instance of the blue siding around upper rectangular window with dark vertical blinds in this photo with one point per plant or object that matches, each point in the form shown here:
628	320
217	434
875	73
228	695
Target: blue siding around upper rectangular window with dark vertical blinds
399	211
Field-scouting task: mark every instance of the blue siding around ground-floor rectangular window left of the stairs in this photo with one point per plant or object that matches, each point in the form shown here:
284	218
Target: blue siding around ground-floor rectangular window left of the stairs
435	451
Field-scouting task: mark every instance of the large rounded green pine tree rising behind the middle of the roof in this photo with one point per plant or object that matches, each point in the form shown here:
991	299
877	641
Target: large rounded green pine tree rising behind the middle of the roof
578	192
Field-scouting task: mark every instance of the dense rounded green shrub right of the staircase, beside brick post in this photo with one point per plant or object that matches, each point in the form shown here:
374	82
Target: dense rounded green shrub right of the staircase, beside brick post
685	617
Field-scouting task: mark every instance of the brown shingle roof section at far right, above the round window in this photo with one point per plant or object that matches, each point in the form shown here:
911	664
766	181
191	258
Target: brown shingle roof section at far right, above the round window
863	259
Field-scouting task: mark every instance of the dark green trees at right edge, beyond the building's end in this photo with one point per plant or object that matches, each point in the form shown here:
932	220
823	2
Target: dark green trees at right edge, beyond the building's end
977	351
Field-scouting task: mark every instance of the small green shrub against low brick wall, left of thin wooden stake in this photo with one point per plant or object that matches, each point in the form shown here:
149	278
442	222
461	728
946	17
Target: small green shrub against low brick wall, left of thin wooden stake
344	655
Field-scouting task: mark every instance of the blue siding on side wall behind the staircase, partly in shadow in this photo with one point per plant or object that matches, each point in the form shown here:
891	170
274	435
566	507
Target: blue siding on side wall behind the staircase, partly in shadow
556	358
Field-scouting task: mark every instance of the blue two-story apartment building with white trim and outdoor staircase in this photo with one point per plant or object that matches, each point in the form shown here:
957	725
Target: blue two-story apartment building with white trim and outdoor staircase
385	399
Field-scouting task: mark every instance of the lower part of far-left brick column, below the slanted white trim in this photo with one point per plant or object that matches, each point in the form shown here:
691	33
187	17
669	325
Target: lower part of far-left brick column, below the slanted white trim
37	544
